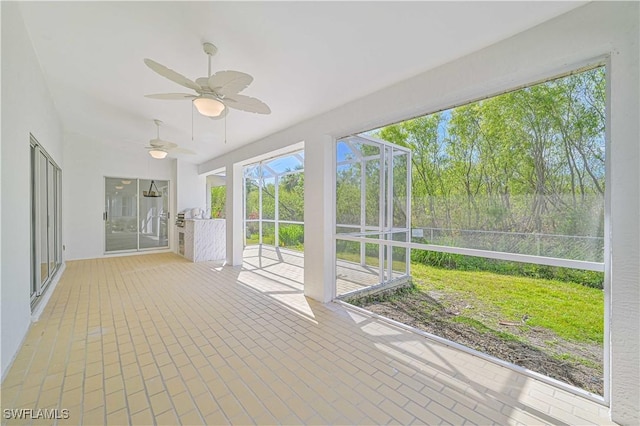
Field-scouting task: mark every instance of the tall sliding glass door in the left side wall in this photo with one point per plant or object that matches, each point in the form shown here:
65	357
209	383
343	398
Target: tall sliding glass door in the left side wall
46	219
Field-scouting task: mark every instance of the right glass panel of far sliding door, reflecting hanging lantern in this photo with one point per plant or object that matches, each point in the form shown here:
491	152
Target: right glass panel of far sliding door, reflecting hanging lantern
154	209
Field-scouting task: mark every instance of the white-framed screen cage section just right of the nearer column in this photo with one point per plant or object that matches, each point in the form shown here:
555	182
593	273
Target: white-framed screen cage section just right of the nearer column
373	213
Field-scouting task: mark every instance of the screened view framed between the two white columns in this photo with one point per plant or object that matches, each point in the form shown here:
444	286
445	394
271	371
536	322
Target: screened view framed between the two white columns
274	202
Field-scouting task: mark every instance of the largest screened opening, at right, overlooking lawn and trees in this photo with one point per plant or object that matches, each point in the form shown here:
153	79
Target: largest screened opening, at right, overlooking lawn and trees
508	237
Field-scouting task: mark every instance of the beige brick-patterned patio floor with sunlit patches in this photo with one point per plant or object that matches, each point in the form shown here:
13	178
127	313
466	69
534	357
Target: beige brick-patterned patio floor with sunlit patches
157	339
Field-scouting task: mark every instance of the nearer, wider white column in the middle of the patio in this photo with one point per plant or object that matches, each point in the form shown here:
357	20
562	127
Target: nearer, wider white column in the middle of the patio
319	212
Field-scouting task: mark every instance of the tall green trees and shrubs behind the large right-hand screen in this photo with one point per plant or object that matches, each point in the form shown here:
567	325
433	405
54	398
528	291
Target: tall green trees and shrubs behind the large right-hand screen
528	162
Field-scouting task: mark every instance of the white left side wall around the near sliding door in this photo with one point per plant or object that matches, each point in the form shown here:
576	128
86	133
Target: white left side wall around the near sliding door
26	108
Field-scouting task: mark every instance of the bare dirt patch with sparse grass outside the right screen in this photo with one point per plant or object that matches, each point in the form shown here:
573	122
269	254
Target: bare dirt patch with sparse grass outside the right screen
534	348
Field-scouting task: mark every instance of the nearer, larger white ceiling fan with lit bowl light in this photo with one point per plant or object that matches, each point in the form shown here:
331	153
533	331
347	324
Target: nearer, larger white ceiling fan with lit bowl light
214	93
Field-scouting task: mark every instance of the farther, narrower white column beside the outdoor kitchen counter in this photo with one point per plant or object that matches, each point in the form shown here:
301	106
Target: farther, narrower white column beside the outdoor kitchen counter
235	214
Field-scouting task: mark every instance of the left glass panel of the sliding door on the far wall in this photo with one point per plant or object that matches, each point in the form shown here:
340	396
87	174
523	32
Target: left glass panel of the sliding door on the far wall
121	214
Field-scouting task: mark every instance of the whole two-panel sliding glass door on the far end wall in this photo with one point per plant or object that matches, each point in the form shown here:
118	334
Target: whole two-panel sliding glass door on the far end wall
136	214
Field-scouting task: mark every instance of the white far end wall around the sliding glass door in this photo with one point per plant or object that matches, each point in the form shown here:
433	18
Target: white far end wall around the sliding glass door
87	163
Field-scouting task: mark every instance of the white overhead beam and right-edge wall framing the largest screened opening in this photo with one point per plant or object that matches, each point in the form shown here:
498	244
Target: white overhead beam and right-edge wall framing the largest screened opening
580	37
